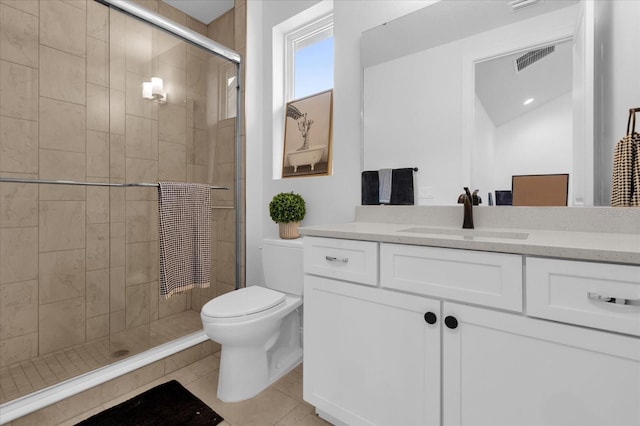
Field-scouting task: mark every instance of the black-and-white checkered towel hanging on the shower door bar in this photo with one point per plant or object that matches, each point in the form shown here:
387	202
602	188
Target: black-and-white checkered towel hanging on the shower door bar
185	236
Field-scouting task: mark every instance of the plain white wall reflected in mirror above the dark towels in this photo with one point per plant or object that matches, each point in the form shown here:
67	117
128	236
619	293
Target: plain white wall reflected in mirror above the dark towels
412	118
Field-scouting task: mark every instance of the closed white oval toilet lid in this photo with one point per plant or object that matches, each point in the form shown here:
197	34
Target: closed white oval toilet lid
244	301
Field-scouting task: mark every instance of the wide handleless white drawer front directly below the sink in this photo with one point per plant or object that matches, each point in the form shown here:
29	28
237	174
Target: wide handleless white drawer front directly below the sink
489	279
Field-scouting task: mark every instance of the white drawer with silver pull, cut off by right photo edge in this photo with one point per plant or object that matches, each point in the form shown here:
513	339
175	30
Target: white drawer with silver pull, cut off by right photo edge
598	295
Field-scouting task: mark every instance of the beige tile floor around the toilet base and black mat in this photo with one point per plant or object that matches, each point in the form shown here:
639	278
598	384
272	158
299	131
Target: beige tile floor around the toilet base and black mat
279	405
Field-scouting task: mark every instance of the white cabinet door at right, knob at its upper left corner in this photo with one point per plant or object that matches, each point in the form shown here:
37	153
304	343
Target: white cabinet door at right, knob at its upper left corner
504	369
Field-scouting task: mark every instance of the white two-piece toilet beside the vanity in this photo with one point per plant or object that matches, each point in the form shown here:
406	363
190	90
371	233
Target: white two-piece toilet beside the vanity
259	328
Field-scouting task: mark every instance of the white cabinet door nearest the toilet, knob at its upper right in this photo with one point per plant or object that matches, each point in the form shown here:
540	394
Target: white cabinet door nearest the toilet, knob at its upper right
370	356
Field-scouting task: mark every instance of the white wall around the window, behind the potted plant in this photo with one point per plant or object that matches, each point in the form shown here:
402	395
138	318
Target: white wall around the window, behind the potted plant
330	199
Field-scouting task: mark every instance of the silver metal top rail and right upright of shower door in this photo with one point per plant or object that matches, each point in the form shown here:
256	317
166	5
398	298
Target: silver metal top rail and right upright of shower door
156	20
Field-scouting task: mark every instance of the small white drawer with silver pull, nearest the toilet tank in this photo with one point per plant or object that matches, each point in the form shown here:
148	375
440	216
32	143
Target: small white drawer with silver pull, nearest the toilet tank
347	260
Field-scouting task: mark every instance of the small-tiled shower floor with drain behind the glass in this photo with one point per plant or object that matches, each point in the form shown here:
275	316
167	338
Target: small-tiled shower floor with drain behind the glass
22	378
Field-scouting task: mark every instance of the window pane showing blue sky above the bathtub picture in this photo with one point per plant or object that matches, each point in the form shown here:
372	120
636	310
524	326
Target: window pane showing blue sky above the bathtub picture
309	59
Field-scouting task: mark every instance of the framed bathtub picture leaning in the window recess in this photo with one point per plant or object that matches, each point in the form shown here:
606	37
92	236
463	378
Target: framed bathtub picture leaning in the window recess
307	136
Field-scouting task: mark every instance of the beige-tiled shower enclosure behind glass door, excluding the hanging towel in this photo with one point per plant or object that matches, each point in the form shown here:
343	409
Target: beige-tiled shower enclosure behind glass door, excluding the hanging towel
81	136
